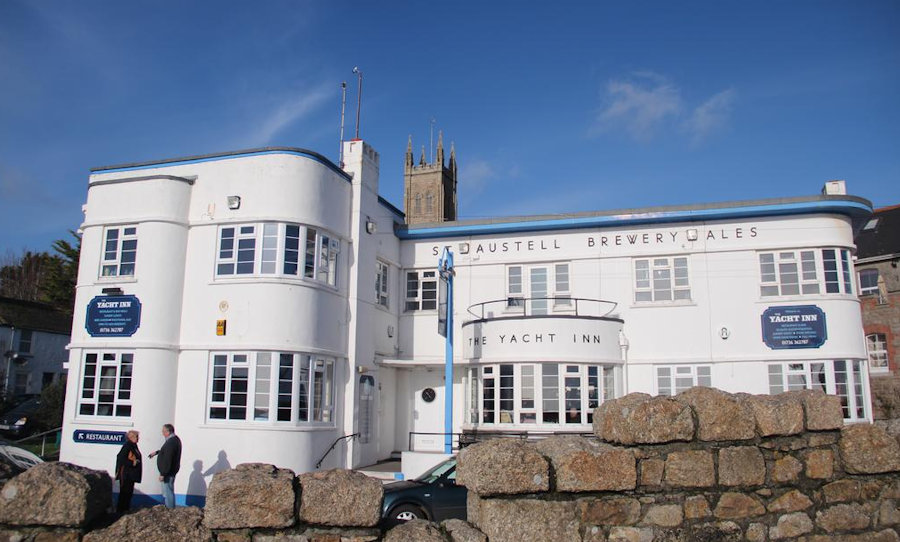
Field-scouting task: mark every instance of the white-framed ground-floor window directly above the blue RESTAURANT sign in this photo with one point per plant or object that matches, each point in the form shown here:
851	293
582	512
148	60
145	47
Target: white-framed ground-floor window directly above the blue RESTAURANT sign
106	383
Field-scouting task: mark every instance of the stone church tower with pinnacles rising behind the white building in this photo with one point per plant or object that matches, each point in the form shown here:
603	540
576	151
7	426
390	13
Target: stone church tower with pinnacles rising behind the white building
430	189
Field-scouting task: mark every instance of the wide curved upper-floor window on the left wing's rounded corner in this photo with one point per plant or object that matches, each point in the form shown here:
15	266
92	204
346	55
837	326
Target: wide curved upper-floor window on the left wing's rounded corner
274	248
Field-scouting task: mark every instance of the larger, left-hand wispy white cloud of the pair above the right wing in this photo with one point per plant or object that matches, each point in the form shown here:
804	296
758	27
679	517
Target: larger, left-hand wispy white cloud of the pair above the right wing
639	106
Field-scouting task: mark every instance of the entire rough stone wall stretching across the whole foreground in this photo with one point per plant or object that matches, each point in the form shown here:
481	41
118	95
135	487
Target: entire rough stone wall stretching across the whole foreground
702	466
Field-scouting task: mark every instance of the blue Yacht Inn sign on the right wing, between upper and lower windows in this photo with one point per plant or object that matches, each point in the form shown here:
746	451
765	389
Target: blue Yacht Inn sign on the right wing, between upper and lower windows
797	326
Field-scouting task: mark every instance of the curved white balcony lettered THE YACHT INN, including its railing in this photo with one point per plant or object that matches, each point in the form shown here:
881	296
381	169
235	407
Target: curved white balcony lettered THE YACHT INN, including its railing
543	329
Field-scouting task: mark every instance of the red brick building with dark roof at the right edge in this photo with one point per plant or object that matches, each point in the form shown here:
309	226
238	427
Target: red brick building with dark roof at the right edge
878	253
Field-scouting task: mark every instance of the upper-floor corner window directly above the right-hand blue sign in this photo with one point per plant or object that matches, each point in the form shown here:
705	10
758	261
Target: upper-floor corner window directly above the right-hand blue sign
804	272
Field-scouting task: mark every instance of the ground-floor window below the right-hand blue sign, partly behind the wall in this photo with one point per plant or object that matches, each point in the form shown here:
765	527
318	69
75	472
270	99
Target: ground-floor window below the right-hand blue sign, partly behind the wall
844	378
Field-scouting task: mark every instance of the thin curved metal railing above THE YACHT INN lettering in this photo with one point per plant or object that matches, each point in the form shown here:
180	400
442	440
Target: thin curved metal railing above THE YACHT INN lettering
517	307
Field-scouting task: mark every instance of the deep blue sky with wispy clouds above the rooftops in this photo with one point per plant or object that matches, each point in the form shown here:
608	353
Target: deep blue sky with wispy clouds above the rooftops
557	107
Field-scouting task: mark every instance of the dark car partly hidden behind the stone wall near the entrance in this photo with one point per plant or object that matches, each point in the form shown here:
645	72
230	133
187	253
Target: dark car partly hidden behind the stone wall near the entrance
433	496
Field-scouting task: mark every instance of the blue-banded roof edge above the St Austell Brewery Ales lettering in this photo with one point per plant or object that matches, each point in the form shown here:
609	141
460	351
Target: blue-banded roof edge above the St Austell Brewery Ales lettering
850	208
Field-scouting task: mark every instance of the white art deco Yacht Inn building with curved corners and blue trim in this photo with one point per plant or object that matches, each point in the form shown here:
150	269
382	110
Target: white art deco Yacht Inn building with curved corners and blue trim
275	309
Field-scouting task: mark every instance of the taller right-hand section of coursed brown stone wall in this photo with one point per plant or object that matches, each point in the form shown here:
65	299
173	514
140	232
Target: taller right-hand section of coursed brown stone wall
704	465
